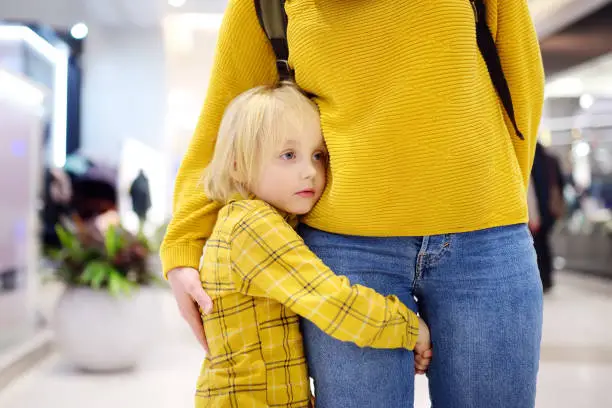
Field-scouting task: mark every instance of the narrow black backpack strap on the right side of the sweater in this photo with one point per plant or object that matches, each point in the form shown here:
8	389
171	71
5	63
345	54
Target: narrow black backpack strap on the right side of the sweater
488	49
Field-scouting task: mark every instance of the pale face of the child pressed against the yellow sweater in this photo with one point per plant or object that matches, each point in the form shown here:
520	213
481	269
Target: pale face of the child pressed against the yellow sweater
293	178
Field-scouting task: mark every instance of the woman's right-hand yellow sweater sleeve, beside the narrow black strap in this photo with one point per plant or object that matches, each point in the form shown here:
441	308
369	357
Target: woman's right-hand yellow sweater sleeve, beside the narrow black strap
519	51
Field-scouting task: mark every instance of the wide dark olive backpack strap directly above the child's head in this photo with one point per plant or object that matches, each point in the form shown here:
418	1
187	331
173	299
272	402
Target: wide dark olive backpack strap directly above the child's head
273	20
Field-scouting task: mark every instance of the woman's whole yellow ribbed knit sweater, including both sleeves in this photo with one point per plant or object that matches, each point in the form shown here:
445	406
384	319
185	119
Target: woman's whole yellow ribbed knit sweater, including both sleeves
419	143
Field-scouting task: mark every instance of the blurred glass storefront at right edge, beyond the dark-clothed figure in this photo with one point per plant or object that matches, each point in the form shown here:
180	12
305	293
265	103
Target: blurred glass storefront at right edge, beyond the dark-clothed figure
583	238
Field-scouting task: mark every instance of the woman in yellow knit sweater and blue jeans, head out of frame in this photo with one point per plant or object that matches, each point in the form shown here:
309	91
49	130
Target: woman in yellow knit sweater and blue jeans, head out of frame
427	188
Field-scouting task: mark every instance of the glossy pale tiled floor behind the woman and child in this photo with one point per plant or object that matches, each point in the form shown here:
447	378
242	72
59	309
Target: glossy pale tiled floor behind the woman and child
576	367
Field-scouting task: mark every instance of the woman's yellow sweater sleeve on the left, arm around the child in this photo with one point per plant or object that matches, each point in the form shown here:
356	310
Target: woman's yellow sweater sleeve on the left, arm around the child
243	60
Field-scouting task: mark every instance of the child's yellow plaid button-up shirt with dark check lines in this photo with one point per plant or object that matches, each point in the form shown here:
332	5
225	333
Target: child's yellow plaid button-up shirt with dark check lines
261	276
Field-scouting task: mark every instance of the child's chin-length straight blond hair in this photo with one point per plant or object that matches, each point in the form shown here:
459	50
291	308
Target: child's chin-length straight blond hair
255	124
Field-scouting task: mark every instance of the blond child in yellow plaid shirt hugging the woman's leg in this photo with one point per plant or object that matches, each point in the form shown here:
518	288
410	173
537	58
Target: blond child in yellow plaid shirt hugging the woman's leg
269	166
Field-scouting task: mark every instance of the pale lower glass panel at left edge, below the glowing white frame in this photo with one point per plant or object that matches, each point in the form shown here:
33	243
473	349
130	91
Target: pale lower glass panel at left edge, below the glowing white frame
21	124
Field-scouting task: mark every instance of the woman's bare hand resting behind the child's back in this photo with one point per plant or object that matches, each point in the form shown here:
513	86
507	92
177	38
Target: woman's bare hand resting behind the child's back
188	293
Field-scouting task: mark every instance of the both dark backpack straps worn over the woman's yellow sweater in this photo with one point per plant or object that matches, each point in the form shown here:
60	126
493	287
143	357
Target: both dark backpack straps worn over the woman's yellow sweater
273	21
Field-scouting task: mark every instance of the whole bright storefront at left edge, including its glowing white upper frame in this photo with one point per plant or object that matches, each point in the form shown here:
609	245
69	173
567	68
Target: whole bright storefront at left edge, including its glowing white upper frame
33	103
